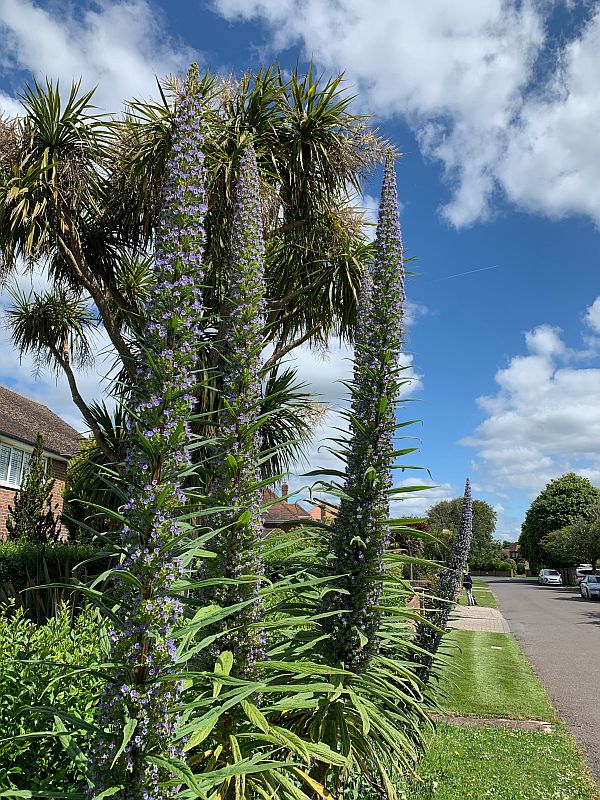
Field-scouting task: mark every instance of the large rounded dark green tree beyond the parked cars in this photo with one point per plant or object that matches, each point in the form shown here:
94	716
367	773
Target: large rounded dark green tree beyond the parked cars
563	502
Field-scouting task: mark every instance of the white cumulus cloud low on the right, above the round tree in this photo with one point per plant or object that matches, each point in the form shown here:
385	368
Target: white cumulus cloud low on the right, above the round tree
544	419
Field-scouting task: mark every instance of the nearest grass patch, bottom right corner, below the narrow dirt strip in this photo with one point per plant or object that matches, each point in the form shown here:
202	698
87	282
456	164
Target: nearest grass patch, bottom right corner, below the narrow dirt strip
473	763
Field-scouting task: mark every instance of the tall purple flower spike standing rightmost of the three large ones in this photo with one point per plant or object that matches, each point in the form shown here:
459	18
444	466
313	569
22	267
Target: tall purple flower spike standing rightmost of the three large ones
360	534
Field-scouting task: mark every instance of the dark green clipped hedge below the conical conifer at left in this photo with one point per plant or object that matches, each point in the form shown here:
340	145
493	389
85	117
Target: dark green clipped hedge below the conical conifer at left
22	562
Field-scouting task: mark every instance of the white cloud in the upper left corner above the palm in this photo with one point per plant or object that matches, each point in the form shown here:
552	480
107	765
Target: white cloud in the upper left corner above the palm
120	46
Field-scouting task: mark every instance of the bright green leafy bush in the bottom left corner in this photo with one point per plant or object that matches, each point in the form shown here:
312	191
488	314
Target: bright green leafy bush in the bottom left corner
29	679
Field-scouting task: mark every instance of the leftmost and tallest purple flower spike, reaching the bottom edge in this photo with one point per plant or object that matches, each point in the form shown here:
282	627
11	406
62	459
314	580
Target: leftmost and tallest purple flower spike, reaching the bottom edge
136	707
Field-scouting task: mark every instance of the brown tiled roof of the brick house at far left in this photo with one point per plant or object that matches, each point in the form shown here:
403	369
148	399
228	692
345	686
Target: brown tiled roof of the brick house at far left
22	419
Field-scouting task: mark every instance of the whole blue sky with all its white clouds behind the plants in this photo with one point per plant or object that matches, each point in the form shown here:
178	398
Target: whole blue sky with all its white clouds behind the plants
496	106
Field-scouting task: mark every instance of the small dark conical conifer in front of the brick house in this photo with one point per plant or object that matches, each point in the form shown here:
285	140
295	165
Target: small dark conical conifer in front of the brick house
33	516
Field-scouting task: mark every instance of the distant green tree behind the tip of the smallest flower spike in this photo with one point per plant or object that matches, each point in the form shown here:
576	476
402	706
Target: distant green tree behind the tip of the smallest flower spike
445	516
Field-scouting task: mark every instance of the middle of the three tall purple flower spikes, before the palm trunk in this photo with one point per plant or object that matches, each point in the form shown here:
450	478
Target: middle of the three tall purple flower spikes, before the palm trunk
238	544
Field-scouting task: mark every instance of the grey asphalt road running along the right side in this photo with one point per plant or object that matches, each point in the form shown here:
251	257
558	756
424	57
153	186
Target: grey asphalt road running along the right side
560	635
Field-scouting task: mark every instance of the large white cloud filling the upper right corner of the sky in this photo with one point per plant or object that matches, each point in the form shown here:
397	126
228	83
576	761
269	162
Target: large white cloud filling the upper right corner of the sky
463	75
